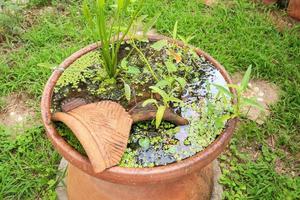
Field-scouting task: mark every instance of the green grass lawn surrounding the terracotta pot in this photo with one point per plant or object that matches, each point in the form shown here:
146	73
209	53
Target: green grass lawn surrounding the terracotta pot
237	33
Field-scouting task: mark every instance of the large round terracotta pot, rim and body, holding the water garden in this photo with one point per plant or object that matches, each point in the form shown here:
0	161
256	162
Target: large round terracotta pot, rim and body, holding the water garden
132	183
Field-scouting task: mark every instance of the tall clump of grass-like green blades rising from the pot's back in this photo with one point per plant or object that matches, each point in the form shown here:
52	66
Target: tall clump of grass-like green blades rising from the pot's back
97	14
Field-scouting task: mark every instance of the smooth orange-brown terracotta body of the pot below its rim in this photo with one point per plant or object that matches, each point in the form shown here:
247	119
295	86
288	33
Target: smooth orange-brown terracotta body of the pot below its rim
195	186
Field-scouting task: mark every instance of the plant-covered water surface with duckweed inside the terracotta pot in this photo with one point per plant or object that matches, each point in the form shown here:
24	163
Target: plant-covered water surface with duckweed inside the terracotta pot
180	71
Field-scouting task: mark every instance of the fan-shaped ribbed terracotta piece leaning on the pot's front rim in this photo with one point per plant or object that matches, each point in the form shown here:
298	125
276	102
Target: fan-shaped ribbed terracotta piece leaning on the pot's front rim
102	128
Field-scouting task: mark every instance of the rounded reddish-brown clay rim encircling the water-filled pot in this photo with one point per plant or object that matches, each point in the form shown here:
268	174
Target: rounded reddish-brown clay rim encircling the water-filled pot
132	175
